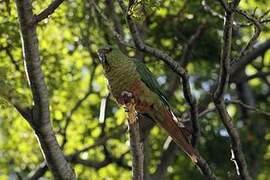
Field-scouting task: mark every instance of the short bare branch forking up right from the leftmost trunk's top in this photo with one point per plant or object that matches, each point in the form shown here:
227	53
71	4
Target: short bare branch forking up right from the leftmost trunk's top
48	11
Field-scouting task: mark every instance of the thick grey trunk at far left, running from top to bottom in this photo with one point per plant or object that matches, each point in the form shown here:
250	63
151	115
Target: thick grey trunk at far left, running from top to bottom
40	121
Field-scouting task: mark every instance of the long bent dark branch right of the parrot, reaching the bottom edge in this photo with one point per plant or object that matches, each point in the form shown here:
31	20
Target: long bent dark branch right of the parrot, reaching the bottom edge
218	96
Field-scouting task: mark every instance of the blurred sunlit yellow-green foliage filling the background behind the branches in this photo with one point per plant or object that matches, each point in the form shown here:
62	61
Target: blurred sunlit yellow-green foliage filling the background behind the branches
68	41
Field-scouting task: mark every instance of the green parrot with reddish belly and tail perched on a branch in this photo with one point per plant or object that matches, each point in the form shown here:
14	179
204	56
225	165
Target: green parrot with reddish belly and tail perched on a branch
130	78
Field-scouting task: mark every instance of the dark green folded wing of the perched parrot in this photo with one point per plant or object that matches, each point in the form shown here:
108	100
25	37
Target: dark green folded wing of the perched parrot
150	81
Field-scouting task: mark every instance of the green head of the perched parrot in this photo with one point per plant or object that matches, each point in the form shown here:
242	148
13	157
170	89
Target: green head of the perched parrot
110	56
